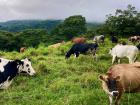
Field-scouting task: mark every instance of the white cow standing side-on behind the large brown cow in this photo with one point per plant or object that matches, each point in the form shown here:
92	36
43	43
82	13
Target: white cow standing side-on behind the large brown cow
120	51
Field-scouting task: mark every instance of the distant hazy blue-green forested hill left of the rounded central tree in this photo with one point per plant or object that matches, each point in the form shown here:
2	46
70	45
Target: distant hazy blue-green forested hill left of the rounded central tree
20	25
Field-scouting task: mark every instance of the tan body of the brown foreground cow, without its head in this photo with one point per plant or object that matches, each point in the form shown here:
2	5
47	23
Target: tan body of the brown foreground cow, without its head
129	76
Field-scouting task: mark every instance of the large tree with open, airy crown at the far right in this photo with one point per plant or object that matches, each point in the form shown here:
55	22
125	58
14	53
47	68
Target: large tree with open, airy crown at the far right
124	22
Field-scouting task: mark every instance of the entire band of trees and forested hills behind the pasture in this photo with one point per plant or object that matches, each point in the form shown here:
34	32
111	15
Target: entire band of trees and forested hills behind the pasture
123	23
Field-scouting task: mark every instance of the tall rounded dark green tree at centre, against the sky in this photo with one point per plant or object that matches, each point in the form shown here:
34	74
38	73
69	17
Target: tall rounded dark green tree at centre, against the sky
72	26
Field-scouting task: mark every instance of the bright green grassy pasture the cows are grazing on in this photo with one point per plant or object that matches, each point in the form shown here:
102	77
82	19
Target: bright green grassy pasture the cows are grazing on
60	81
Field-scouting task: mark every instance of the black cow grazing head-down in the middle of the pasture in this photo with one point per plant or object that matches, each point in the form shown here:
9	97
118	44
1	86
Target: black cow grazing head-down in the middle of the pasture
82	48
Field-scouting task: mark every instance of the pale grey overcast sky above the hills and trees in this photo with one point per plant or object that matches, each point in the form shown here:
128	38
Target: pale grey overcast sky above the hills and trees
93	10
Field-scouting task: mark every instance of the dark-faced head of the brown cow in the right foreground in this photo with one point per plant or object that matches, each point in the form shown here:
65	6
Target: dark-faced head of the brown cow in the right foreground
110	84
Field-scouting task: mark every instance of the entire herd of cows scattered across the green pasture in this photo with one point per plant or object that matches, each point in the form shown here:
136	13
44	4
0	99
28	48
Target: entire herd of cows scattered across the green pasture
119	78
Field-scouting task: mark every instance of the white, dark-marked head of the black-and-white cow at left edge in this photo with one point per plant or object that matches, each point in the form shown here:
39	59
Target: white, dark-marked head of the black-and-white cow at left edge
27	67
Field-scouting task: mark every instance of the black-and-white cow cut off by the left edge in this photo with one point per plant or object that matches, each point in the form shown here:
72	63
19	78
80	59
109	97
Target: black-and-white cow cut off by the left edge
10	68
